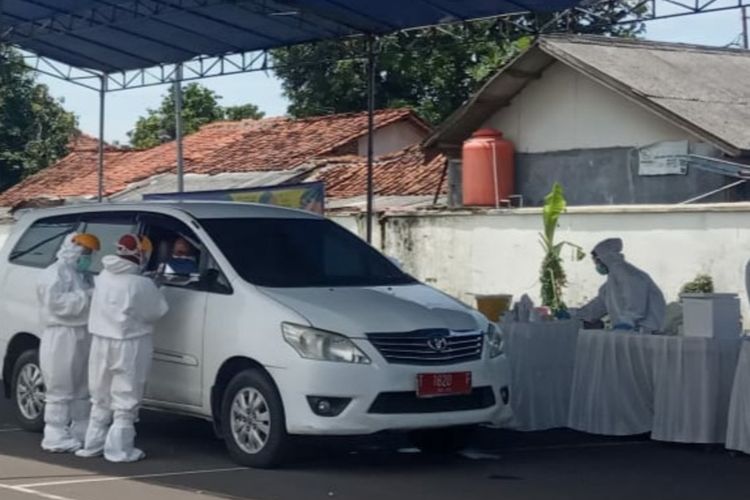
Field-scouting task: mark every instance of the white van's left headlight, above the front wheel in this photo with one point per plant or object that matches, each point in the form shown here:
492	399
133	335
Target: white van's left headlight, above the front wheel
323	346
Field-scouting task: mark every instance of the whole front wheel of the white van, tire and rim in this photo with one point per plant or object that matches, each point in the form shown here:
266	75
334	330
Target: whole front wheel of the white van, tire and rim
253	420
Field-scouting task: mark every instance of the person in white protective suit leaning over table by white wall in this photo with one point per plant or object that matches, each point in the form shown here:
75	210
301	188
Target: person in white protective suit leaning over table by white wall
629	297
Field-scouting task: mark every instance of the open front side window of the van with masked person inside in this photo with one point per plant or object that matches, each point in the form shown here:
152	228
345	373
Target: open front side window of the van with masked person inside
179	258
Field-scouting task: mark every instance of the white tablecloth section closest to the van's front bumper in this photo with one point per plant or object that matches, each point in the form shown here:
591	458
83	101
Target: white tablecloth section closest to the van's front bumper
542	359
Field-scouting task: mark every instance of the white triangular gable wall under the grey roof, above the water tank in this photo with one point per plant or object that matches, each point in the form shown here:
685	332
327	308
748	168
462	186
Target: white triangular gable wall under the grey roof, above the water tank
566	110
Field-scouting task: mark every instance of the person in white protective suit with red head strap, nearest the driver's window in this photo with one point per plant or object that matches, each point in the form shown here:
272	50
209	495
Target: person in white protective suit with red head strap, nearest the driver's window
124	309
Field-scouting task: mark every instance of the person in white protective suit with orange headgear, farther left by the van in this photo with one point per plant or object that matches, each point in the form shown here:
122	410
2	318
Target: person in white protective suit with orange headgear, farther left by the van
64	296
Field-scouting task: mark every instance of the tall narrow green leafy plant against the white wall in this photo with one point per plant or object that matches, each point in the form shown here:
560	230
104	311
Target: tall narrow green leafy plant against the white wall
552	274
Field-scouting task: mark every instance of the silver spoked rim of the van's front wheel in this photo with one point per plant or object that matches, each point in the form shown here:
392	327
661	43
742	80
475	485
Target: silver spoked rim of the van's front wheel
251	420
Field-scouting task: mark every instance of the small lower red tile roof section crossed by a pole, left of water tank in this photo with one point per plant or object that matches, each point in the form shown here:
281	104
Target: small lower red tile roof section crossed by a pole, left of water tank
410	172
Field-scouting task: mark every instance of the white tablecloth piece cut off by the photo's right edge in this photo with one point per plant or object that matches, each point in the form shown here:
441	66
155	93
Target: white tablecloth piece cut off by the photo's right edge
738	431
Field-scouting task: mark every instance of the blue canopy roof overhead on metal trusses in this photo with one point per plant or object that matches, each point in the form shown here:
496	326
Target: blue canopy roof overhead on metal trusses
116	36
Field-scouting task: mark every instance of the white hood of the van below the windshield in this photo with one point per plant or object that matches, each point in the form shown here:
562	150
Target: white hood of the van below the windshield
358	311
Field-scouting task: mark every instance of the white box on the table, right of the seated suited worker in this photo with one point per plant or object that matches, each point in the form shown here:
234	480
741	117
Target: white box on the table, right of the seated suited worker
714	315
